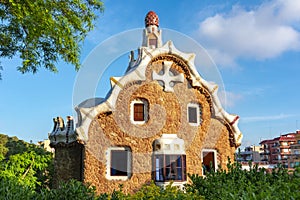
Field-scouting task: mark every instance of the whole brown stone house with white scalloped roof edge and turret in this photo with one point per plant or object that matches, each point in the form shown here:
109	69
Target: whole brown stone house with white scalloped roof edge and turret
167	83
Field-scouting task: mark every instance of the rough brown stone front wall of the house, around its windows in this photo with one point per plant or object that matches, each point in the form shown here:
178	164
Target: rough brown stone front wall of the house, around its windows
167	115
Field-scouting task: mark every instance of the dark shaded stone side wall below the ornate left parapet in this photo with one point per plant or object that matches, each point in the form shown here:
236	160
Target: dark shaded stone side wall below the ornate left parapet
67	162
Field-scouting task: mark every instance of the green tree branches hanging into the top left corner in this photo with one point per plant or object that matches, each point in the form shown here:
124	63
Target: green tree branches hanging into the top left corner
41	32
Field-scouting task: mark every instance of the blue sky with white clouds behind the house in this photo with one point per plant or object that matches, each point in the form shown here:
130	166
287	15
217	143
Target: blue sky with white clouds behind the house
255	45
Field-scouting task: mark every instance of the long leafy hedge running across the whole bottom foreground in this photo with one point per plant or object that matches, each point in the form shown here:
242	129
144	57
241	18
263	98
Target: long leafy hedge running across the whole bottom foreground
232	184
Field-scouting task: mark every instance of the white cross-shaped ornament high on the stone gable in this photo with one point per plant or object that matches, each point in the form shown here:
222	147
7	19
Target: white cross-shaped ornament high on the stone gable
167	77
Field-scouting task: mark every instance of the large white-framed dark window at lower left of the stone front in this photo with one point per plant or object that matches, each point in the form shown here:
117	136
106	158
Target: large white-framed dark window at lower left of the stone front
118	163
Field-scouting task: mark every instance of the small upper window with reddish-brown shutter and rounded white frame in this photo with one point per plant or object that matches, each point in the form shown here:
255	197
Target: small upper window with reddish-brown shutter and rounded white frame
139	111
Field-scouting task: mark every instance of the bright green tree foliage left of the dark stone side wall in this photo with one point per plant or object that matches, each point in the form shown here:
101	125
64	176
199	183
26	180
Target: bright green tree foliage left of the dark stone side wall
24	163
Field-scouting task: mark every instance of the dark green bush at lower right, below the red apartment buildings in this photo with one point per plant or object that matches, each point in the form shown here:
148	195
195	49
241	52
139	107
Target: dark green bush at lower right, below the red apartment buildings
256	183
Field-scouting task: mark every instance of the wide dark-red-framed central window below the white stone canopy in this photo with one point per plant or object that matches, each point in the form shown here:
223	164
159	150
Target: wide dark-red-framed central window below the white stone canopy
170	168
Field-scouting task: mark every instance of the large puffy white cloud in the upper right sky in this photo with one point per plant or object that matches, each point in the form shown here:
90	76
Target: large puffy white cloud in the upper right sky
264	32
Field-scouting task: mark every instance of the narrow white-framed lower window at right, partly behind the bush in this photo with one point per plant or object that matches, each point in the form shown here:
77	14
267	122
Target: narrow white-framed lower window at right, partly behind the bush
209	161
